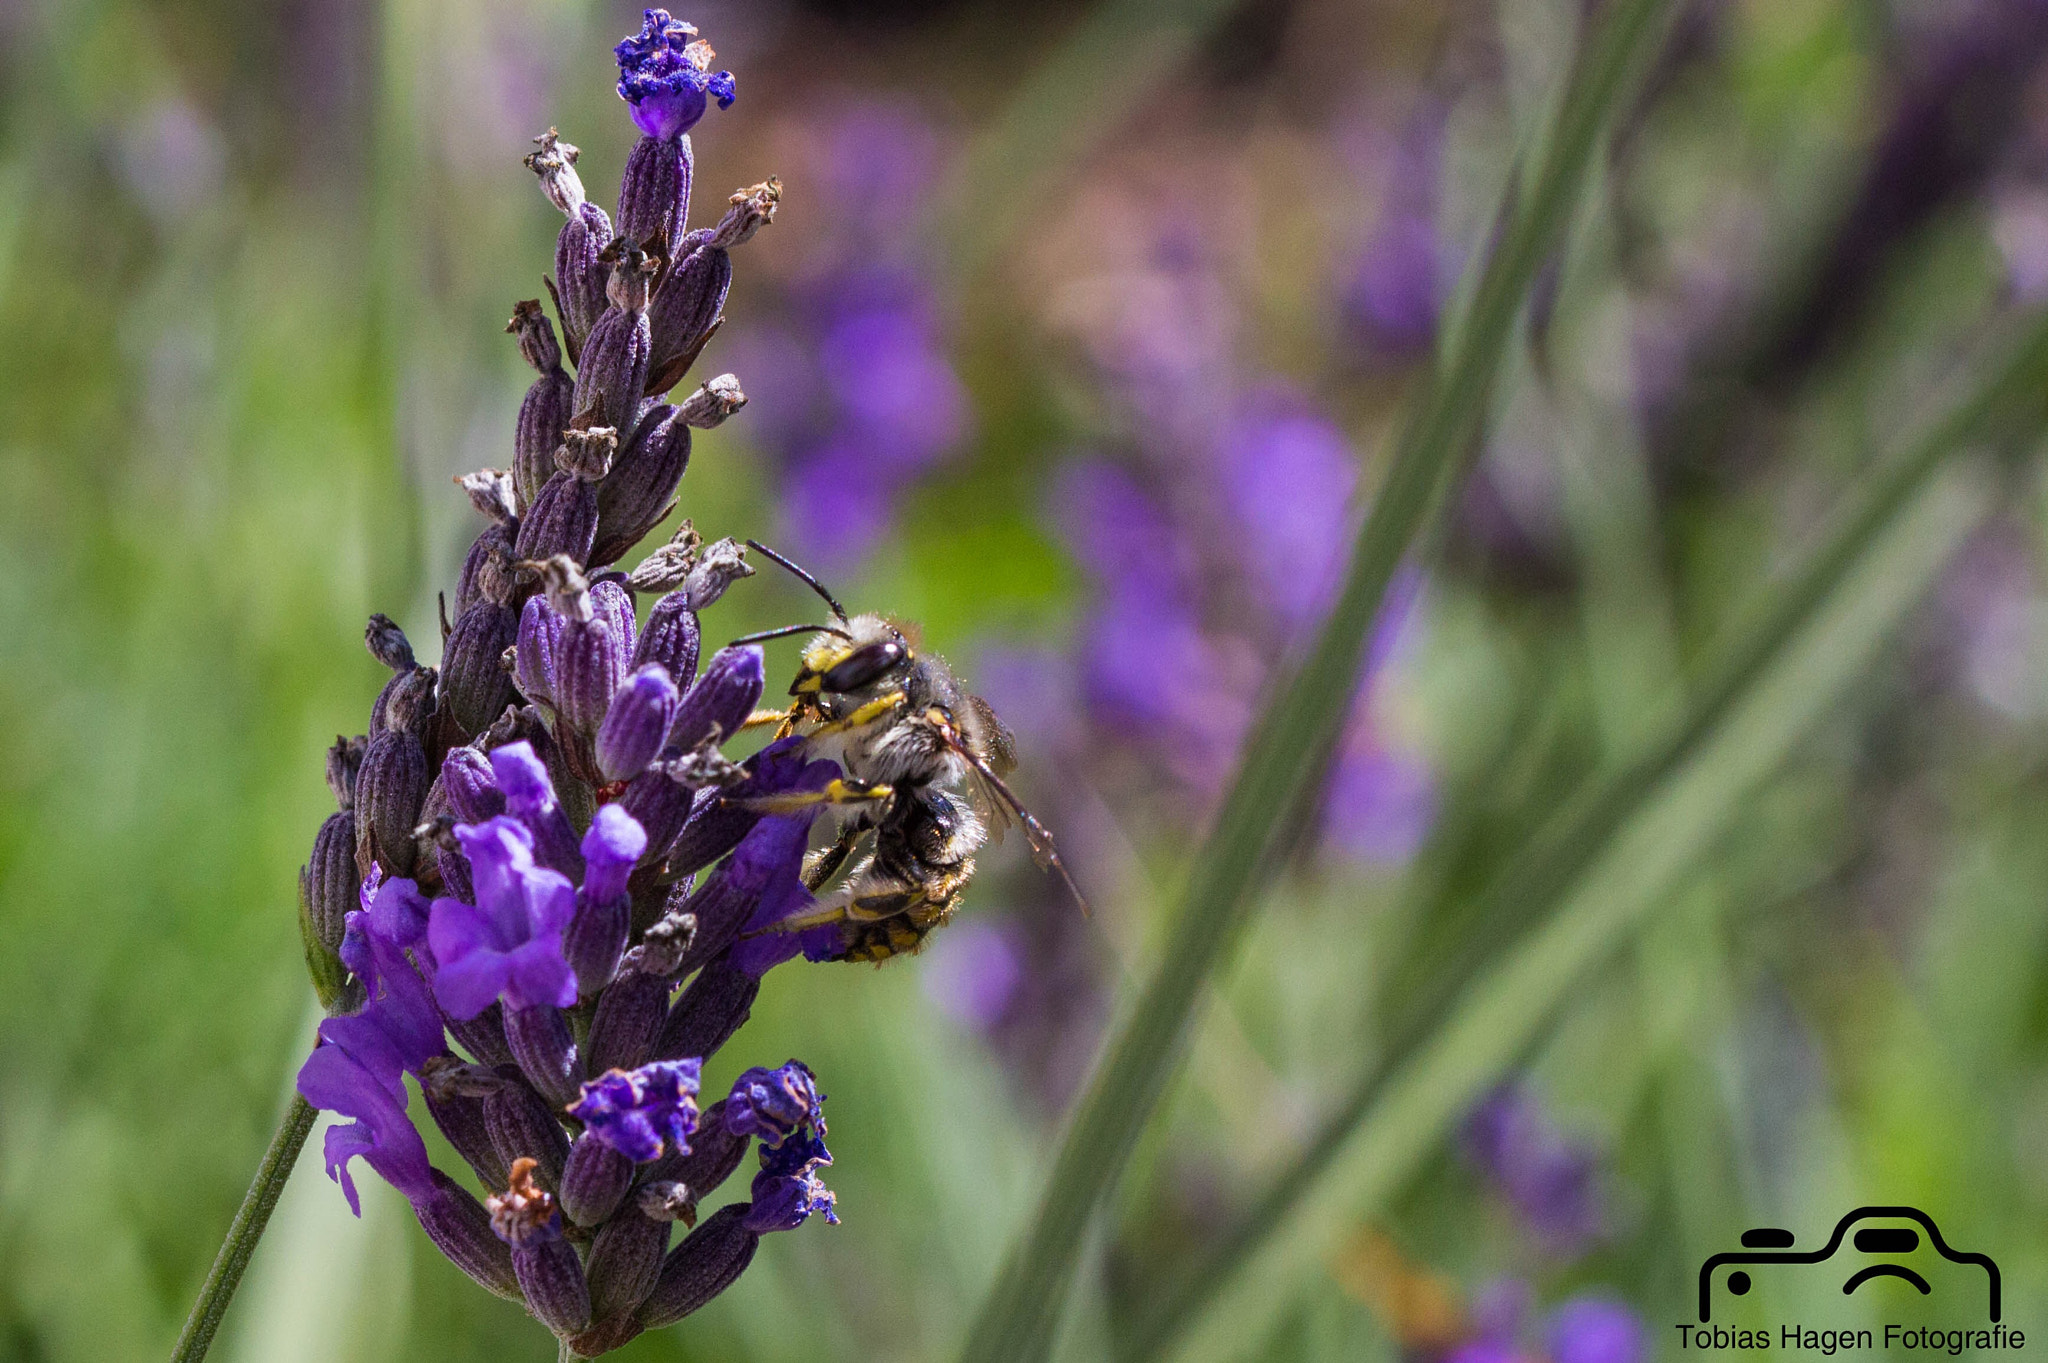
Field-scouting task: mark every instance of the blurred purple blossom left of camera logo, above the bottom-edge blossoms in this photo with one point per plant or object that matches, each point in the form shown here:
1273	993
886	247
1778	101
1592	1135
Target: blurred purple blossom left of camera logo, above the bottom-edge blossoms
1549	1180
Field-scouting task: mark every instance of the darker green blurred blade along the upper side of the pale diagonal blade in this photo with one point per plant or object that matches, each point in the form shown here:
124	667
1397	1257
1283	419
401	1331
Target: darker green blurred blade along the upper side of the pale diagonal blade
1535	881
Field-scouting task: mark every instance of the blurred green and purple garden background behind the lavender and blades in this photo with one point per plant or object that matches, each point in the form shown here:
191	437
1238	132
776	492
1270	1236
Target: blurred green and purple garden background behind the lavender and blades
1078	341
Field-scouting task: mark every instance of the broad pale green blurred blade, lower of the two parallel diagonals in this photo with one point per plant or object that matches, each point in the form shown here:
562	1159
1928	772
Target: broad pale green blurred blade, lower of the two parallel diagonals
1506	1008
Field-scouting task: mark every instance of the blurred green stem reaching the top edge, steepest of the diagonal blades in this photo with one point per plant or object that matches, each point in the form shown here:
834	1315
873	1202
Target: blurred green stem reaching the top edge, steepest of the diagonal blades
1306	715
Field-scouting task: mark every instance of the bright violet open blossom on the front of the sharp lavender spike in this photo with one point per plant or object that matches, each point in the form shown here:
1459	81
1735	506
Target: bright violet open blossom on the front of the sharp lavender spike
507	944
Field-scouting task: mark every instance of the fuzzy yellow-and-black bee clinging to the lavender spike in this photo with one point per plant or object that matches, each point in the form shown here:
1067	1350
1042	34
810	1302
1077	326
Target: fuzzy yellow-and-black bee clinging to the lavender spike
925	779
